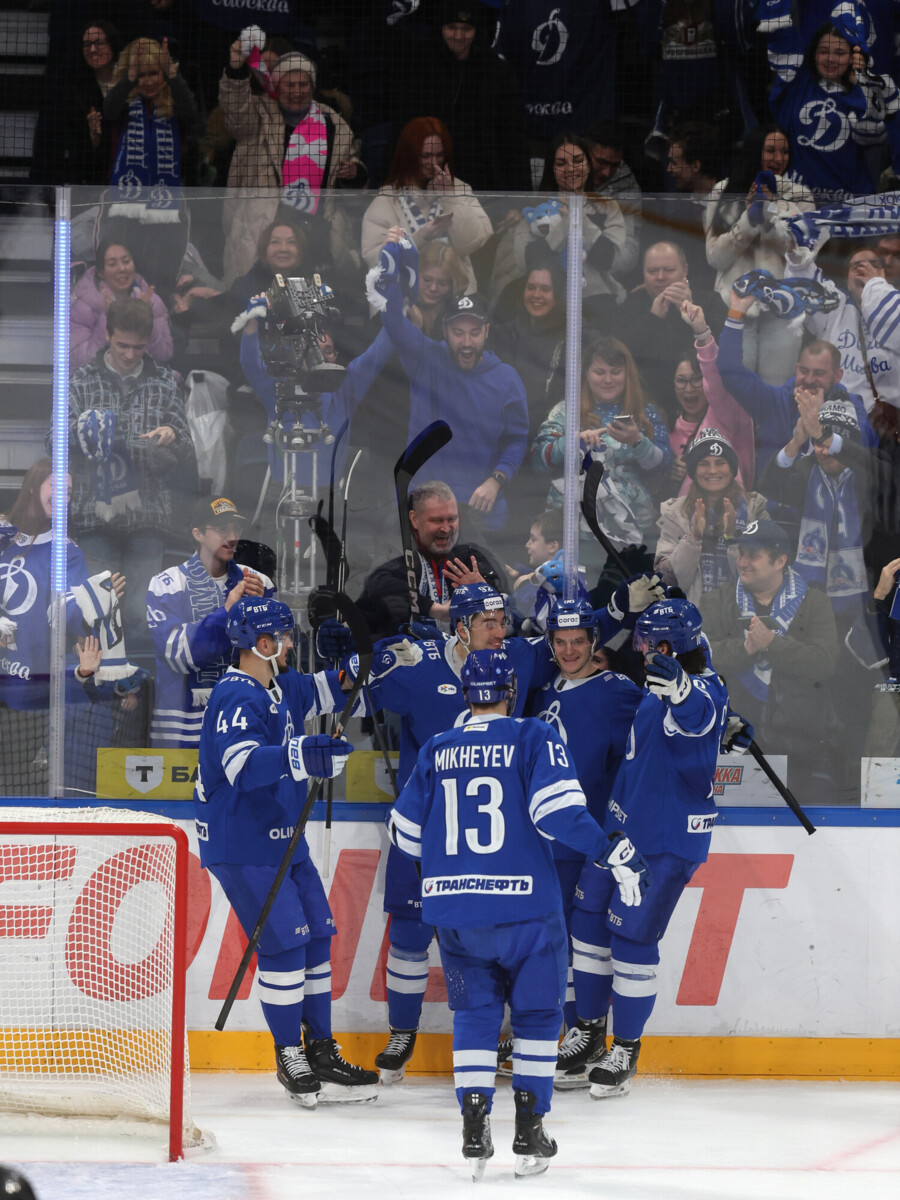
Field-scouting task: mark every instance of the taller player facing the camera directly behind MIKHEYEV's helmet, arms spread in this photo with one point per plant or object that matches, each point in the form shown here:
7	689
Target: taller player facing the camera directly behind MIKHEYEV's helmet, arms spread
427	692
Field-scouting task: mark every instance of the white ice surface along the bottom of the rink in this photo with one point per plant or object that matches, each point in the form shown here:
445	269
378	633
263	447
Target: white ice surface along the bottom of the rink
668	1141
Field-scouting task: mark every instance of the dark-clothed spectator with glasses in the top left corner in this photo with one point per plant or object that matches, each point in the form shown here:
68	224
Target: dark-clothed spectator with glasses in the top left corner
69	146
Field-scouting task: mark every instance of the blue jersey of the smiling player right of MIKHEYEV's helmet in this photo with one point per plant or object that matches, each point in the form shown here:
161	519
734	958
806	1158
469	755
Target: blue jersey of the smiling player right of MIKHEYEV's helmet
592	717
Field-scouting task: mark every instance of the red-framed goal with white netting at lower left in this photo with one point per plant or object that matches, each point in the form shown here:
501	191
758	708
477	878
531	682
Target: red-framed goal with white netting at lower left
93	926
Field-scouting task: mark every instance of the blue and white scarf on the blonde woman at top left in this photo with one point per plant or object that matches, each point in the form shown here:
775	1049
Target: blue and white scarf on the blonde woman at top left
147	172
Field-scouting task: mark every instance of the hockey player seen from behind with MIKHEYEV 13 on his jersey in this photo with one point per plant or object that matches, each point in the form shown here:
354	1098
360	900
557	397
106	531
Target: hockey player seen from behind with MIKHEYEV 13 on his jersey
481	811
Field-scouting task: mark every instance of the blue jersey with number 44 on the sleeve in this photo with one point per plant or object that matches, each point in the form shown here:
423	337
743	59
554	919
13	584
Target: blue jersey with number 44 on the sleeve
247	801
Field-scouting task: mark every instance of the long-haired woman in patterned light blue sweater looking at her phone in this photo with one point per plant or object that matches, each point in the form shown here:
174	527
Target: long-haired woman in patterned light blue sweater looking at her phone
621	423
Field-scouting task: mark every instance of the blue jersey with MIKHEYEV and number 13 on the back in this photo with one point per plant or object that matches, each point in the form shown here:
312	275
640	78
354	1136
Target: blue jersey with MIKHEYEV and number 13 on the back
481	811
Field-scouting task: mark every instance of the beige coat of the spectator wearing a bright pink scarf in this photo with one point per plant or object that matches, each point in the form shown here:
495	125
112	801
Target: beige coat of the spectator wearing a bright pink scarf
255	175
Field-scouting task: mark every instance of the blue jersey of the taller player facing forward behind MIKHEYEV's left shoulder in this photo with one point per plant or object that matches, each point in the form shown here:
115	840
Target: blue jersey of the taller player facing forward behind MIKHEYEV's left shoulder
429	698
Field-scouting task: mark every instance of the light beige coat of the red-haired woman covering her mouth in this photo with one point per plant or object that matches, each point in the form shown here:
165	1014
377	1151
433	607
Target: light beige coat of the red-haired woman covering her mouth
467	232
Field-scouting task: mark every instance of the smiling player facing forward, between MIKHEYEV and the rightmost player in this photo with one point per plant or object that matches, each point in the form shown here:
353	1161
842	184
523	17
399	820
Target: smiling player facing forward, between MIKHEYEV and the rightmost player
591	710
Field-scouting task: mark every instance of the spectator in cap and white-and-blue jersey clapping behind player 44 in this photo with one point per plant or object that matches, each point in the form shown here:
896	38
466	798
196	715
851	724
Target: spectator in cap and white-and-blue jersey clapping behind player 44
187	613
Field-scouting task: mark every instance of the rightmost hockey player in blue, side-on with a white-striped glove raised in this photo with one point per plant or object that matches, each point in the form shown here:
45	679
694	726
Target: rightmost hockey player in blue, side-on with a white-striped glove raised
663	799
